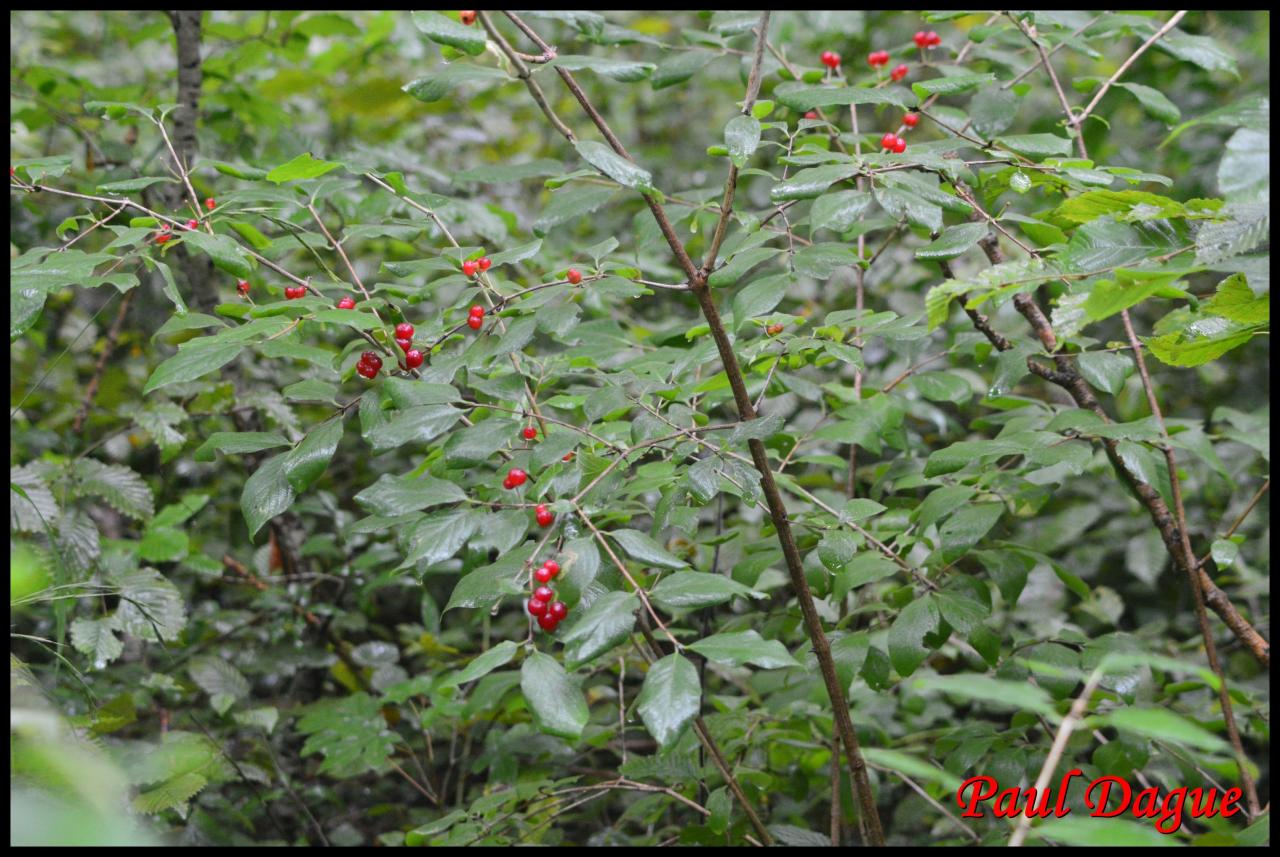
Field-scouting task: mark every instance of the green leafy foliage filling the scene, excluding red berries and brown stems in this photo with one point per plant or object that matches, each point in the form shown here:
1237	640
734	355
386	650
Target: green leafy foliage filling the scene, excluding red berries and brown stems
258	599
